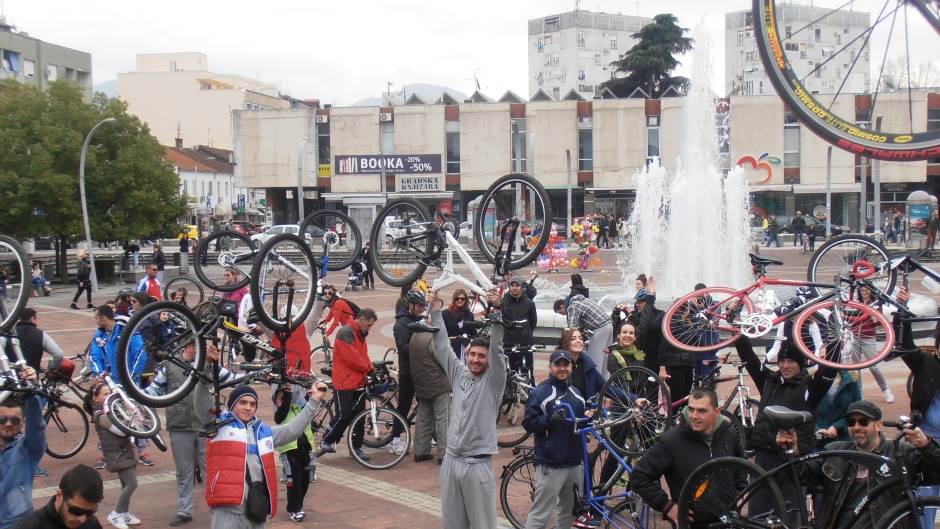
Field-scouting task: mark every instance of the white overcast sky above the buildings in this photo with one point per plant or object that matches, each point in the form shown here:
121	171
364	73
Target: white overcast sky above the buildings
338	51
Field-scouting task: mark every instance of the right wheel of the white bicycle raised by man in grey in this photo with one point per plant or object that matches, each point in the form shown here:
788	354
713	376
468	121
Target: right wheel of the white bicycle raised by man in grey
516	196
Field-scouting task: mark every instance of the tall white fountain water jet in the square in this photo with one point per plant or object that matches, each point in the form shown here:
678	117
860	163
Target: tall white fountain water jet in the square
692	226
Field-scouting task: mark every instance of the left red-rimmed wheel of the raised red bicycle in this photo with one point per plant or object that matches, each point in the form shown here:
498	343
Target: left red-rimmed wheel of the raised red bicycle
692	335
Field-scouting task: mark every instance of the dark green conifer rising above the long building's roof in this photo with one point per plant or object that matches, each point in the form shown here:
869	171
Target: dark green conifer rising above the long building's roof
650	63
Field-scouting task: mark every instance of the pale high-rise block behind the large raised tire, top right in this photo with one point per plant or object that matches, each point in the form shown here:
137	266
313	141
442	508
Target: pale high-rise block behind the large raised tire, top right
811	39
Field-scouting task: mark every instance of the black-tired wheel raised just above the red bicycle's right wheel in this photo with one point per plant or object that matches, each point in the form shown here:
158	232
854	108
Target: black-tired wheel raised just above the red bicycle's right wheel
837	256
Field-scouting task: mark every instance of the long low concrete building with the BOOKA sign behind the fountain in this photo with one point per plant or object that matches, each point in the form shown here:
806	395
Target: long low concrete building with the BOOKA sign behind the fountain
467	146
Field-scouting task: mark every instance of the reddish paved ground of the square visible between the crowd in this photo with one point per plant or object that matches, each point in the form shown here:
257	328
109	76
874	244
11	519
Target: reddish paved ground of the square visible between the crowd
346	495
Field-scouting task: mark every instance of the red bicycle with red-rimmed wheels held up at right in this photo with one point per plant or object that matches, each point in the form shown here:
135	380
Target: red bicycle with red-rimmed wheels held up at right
832	330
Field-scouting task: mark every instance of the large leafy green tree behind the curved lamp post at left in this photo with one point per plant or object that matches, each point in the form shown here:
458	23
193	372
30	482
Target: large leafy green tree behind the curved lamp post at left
132	191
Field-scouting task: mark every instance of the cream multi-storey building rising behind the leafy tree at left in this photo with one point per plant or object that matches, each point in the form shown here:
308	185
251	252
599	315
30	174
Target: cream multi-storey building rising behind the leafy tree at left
177	96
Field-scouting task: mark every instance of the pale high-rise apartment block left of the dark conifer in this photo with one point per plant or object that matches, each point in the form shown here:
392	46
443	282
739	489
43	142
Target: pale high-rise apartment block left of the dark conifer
573	50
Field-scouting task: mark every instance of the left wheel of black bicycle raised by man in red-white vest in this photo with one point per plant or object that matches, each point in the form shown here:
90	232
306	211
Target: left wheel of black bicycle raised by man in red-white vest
168	334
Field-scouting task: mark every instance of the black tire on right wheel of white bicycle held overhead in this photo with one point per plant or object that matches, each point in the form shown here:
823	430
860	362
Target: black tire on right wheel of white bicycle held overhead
539	192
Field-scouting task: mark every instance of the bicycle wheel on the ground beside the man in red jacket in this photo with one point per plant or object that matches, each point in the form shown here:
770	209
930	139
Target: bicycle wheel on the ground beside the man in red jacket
377	428
